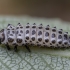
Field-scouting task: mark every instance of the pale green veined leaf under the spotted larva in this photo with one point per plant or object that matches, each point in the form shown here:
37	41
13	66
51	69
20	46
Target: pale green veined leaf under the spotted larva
39	58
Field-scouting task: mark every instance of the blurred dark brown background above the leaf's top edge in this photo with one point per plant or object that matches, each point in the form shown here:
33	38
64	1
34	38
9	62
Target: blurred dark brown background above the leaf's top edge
36	8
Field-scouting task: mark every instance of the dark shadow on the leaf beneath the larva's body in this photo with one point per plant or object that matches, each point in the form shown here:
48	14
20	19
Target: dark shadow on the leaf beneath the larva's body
37	48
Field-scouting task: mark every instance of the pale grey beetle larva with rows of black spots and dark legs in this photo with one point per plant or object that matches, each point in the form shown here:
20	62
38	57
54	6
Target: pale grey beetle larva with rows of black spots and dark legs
33	35
